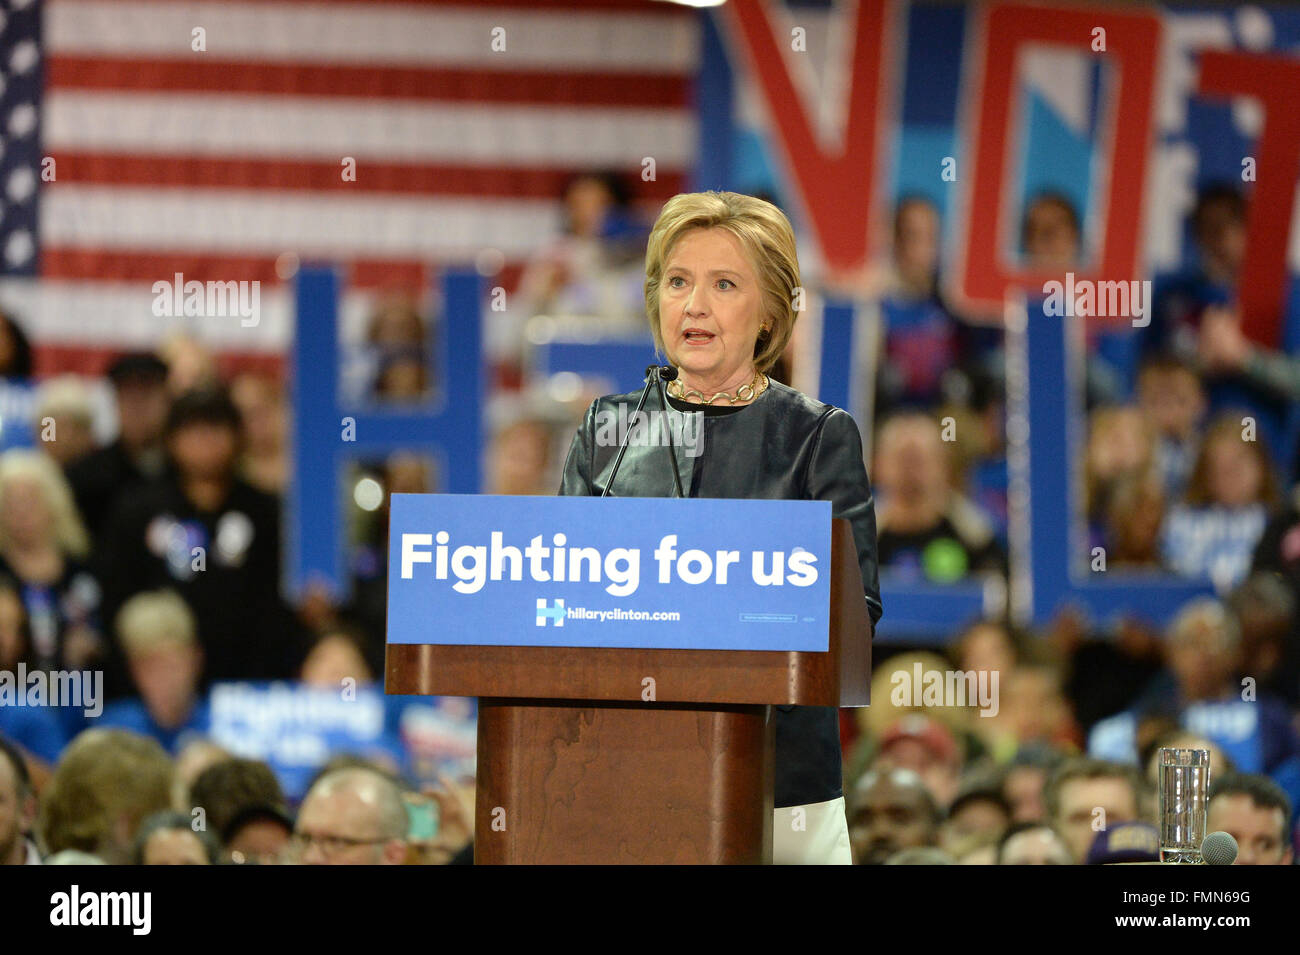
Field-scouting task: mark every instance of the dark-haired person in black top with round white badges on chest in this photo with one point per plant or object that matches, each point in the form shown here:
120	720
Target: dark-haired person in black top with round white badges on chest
211	537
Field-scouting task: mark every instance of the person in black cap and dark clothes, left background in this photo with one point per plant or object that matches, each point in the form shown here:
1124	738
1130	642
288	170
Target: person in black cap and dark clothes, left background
136	457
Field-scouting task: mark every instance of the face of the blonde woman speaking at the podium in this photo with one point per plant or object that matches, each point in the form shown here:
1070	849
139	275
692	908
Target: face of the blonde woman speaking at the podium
710	310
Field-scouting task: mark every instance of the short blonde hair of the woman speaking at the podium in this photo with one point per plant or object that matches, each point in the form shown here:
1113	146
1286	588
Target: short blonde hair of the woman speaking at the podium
768	238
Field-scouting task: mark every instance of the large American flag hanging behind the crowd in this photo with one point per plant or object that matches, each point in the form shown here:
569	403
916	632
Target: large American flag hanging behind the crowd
148	138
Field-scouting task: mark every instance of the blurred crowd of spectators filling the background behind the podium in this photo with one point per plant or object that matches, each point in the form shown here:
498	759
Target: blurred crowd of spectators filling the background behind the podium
155	561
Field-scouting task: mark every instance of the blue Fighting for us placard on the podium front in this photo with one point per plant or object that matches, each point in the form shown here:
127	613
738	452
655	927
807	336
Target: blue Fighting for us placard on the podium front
617	572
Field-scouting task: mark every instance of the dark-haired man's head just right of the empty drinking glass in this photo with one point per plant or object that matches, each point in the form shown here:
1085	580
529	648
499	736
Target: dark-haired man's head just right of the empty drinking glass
1256	813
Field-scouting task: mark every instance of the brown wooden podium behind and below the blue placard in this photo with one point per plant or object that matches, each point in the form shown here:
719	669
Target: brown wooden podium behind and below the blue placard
643	757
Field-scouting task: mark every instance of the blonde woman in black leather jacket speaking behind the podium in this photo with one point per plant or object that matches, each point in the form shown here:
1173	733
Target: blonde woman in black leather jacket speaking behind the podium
722	293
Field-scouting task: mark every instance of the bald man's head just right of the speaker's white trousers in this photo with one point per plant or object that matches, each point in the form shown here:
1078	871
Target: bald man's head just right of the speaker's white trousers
891	810
